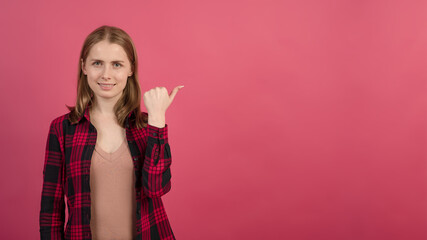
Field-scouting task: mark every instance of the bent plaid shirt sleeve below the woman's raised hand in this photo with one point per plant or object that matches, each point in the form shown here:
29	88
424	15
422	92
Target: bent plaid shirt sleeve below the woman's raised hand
156	174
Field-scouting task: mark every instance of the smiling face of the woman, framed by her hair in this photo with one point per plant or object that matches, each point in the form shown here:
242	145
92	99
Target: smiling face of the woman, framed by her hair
107	68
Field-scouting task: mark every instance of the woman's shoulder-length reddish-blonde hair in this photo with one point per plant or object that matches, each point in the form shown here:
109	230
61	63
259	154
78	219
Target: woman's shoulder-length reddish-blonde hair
131	97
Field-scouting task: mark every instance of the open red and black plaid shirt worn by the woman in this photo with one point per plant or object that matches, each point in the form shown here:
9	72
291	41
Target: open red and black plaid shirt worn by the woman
66	171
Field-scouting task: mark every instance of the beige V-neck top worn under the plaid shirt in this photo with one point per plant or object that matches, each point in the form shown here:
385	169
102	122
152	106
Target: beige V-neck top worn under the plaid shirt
113	201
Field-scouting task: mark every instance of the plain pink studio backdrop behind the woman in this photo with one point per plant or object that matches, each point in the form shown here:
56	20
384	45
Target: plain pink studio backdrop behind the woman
299	119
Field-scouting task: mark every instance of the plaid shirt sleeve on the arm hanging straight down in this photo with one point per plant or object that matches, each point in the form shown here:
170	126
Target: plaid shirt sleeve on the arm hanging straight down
52	209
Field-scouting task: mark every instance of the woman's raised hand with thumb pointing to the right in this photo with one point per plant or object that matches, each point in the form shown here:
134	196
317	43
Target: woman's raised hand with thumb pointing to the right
157	100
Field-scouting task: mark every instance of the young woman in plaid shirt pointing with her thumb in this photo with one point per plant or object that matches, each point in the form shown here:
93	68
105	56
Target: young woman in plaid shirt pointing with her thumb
111	160
